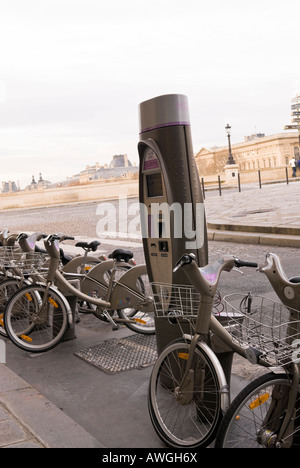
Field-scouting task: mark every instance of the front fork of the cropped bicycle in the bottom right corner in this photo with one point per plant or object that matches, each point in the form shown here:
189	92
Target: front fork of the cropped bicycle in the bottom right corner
278	425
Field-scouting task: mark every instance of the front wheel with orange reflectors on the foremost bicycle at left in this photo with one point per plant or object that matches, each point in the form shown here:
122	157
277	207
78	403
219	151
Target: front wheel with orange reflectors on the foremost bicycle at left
36	318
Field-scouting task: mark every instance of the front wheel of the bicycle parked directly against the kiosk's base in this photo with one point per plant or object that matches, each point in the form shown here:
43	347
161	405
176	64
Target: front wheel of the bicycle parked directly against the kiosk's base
189	425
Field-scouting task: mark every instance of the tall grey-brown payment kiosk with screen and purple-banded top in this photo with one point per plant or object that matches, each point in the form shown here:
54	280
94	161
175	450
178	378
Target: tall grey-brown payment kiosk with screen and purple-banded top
171	203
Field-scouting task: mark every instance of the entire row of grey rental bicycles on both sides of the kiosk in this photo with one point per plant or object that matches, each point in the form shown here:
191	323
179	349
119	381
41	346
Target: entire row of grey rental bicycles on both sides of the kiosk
189	394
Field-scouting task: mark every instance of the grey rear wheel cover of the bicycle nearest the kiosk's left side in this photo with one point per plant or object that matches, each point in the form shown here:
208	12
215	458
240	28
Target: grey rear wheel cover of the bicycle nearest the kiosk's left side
126	292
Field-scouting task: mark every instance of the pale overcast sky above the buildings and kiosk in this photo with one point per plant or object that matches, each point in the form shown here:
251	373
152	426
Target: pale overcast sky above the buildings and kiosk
73	73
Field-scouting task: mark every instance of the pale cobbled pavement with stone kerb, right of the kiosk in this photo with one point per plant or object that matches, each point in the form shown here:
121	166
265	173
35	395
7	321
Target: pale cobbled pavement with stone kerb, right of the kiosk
267	215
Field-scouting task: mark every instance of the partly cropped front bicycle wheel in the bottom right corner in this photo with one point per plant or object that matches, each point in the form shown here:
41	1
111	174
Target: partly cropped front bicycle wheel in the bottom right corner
245	424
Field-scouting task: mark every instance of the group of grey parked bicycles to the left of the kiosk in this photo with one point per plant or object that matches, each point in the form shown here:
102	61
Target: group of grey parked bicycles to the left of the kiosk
37	286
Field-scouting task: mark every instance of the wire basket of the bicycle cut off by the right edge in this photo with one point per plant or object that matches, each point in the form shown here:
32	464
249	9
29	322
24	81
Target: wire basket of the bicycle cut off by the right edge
267	326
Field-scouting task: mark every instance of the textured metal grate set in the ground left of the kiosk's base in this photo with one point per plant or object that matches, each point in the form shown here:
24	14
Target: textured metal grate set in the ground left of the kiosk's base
114	355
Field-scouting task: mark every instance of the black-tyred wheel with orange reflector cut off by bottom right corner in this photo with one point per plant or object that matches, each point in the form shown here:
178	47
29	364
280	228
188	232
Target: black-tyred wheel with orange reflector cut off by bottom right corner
242	424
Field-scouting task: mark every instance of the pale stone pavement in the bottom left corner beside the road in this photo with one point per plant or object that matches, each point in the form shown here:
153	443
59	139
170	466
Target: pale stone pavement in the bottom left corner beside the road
29	420
